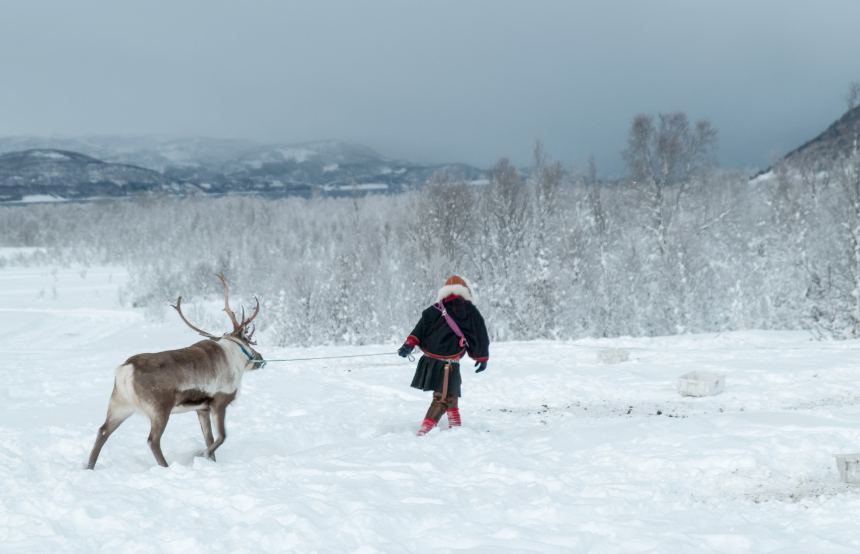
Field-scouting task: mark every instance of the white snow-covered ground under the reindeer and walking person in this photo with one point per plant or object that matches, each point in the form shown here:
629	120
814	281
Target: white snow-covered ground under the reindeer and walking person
557	452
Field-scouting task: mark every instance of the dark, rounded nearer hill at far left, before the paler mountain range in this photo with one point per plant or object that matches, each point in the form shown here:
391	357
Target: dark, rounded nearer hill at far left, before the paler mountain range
46	173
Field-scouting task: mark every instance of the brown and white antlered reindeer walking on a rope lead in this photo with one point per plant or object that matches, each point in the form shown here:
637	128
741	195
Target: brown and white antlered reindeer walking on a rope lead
204	377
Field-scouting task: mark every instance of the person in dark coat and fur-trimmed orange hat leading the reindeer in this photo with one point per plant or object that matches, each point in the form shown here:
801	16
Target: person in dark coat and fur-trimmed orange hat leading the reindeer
444	341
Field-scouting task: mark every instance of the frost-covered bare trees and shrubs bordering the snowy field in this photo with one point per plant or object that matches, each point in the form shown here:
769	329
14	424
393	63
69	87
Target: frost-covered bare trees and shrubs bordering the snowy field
678	246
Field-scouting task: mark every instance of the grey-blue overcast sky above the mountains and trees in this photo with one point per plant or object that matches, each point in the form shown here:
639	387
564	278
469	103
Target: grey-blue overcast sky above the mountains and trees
431	81
